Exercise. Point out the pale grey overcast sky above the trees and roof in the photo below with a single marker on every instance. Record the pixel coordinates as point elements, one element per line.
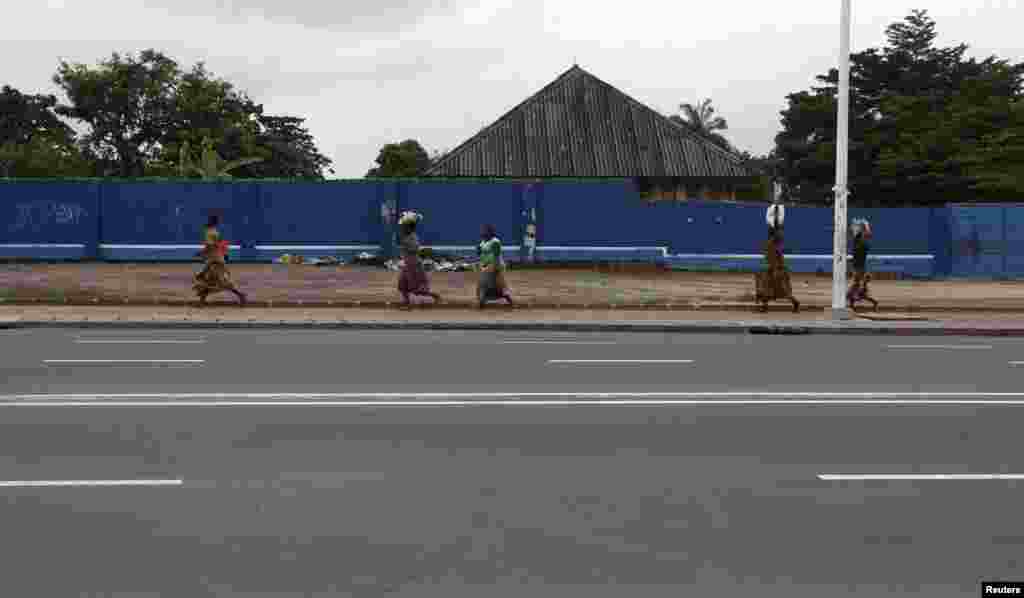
<point>370,72</point>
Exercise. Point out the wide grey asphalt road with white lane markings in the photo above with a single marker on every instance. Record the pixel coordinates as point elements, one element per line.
<point>349,493</point>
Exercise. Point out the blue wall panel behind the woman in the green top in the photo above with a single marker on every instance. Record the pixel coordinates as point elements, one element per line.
<point>454,213</point>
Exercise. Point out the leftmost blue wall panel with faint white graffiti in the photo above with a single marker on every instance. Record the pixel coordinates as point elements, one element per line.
<point>49,221</point>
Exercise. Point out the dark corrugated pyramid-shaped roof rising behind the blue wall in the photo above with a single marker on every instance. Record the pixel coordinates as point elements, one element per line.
<point>583,127</point>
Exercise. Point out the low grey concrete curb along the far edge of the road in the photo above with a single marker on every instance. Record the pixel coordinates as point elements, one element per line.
<point>719,327</point>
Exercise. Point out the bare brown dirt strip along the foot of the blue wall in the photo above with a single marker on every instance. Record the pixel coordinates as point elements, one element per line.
<point>306,286</point>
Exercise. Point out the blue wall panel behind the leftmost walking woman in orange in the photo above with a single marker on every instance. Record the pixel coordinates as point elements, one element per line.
<point>164,222</point>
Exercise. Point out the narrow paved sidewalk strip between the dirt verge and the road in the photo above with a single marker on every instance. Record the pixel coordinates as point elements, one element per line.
<point>507,320</point>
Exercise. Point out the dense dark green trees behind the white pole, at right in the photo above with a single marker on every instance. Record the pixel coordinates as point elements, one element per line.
<point>928,125</point>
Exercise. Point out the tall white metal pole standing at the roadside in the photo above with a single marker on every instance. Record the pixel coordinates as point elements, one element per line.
<point>839,309</point>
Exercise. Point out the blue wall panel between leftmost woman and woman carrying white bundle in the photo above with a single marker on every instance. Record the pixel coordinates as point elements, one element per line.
<point>320,220</point>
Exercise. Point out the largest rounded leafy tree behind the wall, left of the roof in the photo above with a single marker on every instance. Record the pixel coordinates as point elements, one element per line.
<point>143,111</point>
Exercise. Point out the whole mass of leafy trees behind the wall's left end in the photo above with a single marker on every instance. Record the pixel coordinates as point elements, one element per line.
<point>140,113</point>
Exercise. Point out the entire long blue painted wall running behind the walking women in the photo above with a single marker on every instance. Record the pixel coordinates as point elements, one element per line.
<point>124,221</point>
